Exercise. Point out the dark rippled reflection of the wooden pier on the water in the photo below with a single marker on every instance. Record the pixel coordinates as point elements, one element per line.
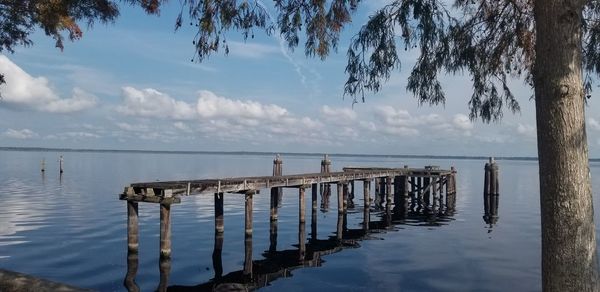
<point>307,253</point>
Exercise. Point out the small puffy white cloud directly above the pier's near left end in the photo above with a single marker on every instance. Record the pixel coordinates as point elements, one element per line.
<point>153,103</point>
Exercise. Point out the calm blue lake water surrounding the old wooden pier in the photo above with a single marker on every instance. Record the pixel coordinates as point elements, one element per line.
<point>72,229</point>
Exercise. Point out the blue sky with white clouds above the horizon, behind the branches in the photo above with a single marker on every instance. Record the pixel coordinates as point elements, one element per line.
<point>132,85</point>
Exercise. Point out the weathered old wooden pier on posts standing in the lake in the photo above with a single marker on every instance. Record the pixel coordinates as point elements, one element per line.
<point>428,191</point>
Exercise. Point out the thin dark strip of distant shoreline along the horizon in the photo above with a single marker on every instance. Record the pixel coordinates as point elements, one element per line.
<point>269,153</point>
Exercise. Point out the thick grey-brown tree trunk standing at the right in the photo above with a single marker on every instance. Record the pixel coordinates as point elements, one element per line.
<point>569,261</point>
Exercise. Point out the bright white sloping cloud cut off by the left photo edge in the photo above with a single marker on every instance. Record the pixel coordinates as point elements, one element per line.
<point>24,91</point>
